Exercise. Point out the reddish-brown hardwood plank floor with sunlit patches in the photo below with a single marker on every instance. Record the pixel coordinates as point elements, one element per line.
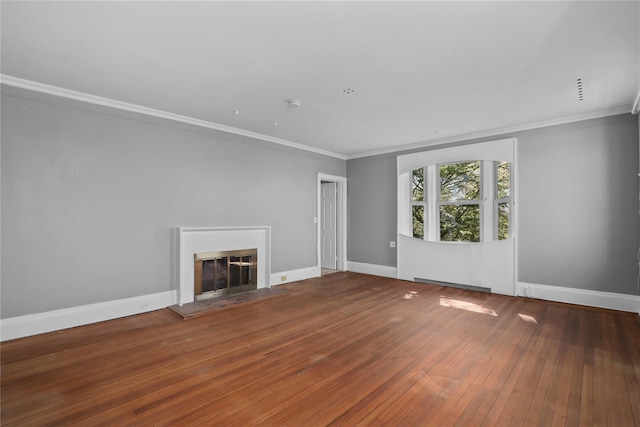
<point>344,349</point>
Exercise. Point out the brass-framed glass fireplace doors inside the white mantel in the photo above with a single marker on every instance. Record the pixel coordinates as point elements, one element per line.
<point>222,273</point>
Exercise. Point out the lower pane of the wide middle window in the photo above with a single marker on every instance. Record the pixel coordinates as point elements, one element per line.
<point>460,223</point>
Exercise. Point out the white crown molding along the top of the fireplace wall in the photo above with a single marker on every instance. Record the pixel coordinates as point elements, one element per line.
<point>125,106</point>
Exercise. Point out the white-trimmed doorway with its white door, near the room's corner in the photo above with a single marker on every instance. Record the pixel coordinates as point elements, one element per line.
<point>331,223</point>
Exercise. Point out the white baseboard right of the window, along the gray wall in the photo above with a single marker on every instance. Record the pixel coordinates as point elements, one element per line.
<point>622,302</point>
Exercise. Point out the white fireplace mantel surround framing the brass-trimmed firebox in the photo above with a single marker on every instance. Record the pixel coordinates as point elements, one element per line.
<point>191,240</point>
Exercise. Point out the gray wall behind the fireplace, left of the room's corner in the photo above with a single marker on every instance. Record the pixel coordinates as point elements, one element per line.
<point>90,195</point>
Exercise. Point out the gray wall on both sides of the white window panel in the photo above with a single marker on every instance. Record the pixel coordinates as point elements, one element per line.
<point>578,195</point>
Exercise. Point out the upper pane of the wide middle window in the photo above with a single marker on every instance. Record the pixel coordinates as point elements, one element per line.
<point>460,181</point>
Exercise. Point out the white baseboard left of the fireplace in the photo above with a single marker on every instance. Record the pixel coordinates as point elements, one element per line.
<point>39,323</point>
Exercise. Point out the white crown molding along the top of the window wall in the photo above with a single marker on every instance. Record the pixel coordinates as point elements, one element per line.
<point>494,132</point>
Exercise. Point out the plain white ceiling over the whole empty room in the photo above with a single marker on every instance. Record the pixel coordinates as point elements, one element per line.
<point>420,72</point>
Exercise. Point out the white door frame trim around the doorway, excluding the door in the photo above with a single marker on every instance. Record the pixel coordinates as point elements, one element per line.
<point>341,220</point>
